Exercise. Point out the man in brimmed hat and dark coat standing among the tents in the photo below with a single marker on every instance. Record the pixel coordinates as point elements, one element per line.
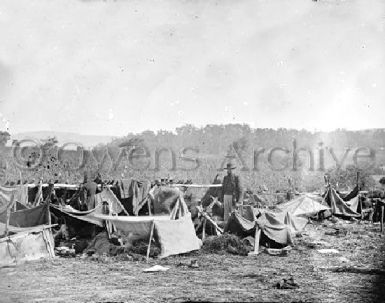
<point>232,192</point>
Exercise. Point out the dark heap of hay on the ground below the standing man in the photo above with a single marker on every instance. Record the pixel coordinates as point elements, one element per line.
<point>226,243</point>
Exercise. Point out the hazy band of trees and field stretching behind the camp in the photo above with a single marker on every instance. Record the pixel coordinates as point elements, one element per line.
<point>211,144</point>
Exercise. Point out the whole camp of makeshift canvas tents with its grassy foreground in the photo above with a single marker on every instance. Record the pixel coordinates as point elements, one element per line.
<point>142,232</point>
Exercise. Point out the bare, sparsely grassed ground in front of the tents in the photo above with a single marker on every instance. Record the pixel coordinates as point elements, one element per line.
<point>219,278</point>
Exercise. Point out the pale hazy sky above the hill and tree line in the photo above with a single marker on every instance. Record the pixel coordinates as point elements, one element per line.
<point>113,67</point>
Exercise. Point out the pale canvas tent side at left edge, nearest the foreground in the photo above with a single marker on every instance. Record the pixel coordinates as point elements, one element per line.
<point>26,246</point>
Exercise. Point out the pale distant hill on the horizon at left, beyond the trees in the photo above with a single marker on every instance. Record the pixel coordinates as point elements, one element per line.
<point>64,137</point>
